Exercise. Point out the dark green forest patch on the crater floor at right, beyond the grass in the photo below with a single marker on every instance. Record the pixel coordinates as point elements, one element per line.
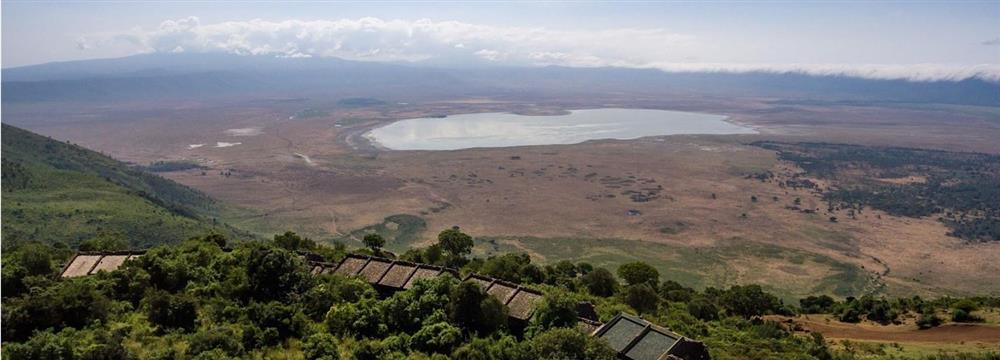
<point>961,189</point>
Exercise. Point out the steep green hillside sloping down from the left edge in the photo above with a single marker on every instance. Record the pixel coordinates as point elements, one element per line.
<point>58,192</point>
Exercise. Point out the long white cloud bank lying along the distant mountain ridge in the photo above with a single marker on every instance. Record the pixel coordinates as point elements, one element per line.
<point>374,39</point>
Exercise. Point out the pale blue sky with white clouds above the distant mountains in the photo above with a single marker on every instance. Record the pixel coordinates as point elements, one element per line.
<point>917,40</point>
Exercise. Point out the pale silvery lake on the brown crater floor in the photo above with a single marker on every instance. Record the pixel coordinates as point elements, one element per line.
<point>505,129</point>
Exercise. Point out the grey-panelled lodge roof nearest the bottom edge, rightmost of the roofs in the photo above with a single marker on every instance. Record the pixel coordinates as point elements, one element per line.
<point>637,339</point>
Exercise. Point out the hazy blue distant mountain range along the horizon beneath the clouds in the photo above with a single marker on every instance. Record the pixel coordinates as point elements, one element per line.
<point>185,76</point>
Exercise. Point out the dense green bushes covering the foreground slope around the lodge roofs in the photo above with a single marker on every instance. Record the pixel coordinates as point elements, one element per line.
<point>193,300</point>
